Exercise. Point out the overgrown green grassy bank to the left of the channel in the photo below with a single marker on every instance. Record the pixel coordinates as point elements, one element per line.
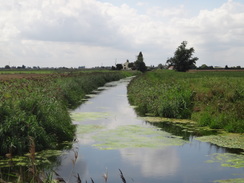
<point>37,108</point>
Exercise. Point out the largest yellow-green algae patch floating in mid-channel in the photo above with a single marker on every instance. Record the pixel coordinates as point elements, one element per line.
<point>134,136</point>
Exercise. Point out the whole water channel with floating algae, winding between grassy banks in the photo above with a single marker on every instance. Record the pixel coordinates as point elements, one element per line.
<point>110,136</point>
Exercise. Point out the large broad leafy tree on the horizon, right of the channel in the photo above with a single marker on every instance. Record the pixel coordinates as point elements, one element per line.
<point>183,60</point>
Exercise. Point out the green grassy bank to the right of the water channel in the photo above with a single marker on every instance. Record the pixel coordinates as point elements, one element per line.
<point>214,99</point>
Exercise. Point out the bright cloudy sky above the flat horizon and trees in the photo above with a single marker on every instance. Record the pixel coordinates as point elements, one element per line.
<point>72,33</point>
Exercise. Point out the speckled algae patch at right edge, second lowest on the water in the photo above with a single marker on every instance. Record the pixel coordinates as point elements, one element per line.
<point>228,159</point>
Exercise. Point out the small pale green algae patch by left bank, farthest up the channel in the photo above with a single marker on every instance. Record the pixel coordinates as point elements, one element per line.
<point>83,116</point>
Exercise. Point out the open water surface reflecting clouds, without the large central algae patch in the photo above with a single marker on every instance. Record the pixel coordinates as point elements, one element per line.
<point>183,163</point>
